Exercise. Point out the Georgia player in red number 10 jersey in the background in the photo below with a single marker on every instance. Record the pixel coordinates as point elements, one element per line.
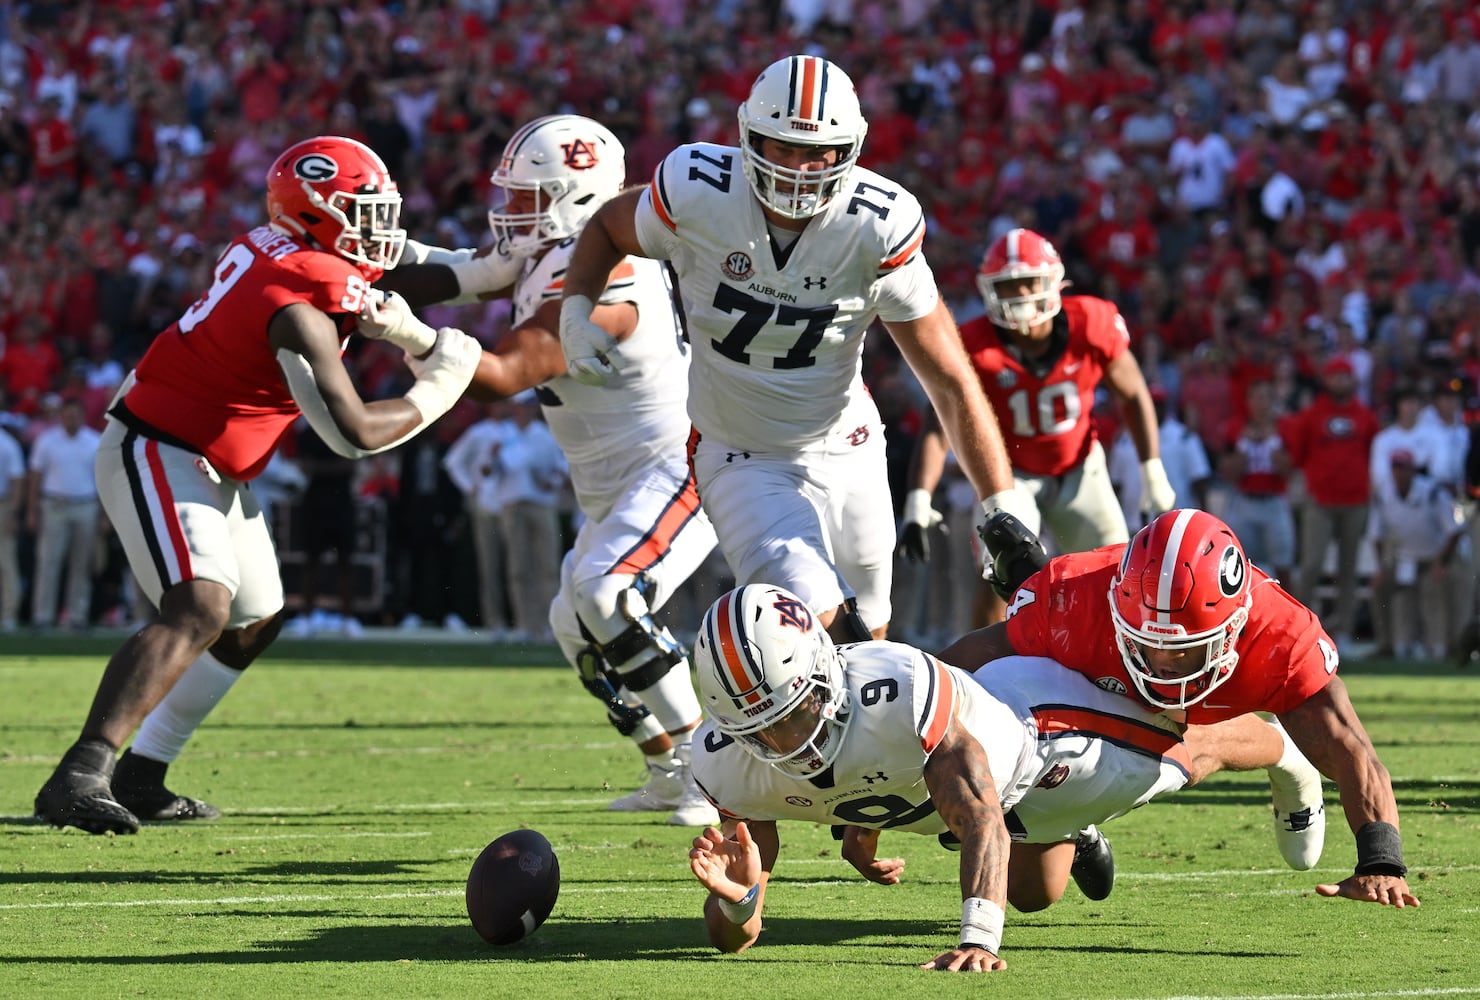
<point>1041,357</point>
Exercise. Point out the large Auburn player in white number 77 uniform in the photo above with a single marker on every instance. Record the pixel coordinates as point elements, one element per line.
<point>787,252</point>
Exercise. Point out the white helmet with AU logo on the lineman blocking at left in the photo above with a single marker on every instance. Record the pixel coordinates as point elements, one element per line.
<point>573,165</point>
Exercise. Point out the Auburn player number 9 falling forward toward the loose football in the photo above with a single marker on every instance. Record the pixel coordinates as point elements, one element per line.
<point>1009,764</point>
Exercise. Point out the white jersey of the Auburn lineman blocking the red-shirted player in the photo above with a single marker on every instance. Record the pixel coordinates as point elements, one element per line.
<point>612,434</point>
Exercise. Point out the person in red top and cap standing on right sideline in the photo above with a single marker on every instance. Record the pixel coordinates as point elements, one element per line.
<point>1331,443</point>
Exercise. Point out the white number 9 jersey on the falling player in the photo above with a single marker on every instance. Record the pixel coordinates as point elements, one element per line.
<point>902,705</point>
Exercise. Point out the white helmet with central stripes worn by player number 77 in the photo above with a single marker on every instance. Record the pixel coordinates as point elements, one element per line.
<point>806,101</point>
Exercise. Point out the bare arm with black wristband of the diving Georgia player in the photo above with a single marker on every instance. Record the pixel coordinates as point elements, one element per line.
<point>1328,732</point>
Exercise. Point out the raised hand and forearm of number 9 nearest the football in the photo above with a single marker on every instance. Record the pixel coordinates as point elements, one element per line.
<point>735,866</point>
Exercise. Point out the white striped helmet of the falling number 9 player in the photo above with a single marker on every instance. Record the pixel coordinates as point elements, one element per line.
<point>772,678</point>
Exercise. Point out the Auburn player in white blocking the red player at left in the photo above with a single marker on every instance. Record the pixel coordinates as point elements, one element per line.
<point>645,533</point>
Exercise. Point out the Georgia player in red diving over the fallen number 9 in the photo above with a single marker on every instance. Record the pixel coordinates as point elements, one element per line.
<point>1183,622</point>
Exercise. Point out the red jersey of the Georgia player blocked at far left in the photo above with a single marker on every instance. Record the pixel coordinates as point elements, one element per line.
<point>212,379</point>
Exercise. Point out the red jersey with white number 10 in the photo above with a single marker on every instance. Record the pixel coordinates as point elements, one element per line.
<point>1046,415</point>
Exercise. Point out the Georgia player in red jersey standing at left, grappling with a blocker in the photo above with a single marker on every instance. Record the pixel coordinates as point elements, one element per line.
<point>196,422</point>
